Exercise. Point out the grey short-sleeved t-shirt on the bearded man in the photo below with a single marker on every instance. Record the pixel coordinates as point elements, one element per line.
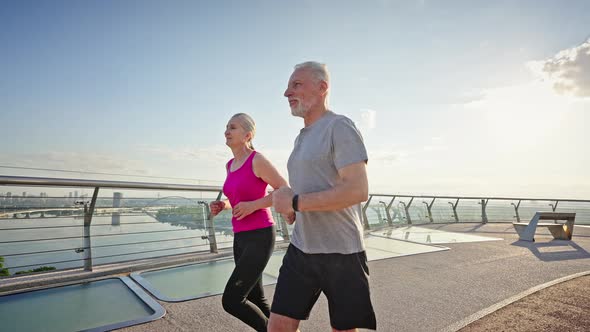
<point>321,149</point>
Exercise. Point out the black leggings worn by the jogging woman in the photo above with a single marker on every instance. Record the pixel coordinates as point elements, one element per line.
<point>243,296</point>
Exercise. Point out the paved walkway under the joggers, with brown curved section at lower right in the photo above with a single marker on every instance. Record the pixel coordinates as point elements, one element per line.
<point>447,290</point>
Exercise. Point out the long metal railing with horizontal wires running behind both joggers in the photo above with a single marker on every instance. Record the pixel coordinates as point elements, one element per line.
<point>44,226</point>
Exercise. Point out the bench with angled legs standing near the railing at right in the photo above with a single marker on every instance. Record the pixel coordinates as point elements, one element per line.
<point>560,231</point>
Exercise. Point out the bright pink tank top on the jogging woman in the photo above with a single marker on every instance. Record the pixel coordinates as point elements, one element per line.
<point>243,185</point>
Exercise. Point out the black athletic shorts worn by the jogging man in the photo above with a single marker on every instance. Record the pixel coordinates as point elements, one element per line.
<point>344,279</point>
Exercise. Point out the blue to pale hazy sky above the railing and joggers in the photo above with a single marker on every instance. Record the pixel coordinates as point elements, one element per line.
<point>485,98</point>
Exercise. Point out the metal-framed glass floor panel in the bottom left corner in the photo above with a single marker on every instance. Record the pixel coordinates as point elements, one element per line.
<point>103,305</point>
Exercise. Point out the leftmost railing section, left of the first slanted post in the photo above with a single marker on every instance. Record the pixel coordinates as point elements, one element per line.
<point>41,229</point>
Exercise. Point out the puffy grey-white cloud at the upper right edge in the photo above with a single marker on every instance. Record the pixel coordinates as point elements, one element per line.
<point>568,71</point>
